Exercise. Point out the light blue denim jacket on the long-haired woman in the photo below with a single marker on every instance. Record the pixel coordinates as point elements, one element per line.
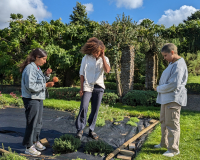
<point>33,83</point>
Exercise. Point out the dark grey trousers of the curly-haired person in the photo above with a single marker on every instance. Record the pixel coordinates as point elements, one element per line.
<point>96,97</point>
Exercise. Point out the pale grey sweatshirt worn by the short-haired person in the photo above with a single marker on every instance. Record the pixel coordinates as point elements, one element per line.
<point>172,84</point>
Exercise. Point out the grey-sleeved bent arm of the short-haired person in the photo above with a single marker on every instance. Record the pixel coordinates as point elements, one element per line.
<point>173,82</point>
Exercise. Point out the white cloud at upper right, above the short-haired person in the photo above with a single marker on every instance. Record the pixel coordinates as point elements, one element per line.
<point>175,17</point>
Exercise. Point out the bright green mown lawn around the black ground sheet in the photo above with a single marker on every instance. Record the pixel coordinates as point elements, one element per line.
<point>190,127</point>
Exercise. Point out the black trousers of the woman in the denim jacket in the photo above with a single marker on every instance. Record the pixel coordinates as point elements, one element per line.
<point>33,112</point>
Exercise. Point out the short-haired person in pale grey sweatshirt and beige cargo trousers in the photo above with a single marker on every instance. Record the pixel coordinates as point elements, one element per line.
<point>172,94</point>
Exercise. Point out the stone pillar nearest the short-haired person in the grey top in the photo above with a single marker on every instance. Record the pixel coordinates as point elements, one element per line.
<point>150,75</point>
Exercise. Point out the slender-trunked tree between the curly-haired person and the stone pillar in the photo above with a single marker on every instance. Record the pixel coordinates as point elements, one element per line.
<point>117,37</point>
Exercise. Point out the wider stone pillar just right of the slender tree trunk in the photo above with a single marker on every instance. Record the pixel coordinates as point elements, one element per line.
<point>127,69</point>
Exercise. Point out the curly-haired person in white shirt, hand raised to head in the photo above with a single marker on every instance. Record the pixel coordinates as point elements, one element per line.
<point>92,69</point>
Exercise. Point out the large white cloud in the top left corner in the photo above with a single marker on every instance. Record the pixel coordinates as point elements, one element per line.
<point>24,7</point>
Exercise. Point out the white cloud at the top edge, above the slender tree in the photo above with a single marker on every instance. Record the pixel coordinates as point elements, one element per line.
<point>129,4</point>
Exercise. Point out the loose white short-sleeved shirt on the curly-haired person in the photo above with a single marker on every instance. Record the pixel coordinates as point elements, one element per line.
<point>93,71</point>
